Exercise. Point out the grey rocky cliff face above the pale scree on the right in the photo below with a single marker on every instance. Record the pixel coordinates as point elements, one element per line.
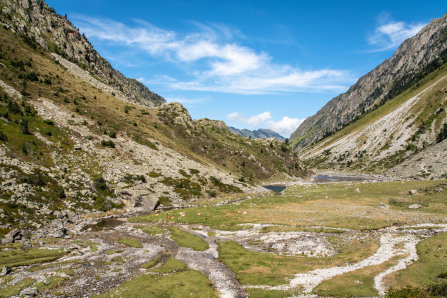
<point>414,59</point>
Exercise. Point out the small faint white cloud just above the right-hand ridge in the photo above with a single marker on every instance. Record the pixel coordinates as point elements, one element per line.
<point>391,34</point>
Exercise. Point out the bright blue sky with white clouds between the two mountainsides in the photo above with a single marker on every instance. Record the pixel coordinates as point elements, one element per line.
<point>253,64</point>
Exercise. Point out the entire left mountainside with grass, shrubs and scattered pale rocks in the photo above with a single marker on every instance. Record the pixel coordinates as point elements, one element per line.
<point>77,137</point>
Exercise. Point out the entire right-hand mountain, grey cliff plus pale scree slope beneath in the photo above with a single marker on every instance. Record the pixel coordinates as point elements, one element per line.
<point>405,137</point>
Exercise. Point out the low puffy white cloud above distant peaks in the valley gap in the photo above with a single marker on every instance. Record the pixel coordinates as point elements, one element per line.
<point>284,127</point>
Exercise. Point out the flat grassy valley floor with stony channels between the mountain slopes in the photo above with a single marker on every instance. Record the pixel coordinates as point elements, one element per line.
<point>329,239</point>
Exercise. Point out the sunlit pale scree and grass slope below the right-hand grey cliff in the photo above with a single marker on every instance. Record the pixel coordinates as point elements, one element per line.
<point>404,138</point>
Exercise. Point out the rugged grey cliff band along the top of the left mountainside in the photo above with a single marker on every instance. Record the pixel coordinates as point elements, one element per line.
<point>41,27</point>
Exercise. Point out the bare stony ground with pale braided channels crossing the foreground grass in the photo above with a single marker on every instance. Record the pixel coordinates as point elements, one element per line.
<point>97,263</point>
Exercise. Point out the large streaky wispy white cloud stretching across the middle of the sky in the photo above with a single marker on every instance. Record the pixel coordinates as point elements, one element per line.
<point>214,59</point>
